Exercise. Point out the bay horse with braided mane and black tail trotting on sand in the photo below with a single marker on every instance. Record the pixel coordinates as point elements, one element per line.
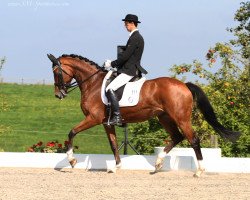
<point>168,99</point>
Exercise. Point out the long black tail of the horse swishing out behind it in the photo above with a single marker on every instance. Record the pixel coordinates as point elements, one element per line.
<point>208,112</point>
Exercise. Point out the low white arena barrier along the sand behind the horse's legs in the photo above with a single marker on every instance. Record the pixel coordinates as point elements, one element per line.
<point>177,159</point>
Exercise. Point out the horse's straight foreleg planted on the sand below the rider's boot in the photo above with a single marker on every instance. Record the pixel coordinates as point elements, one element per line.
<point>110,130</point>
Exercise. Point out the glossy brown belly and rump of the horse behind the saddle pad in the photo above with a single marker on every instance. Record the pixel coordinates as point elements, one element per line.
<point>161,95</point>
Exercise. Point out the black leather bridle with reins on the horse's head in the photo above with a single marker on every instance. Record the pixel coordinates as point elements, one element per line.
<point>65,86</point>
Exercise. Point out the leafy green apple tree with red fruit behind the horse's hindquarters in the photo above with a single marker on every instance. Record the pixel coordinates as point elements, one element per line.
<point>227,89</point>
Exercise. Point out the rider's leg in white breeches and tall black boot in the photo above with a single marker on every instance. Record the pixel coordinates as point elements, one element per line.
<point>114,85</point>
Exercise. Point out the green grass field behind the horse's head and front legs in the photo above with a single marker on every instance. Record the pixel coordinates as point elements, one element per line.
<point>33,114</point>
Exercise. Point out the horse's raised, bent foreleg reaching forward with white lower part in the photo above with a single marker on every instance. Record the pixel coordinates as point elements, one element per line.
<point>88,122</point>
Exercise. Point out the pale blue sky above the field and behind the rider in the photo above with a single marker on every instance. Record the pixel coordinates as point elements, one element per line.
<point>174,32</point>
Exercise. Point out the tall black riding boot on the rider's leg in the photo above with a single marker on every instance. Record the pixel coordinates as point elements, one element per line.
<point>116,118</point>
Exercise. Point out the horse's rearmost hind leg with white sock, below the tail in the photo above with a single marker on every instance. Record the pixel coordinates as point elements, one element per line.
<point>195,144</point>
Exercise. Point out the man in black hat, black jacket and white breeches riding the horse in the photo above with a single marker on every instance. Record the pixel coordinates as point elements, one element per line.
<point>128,65</point>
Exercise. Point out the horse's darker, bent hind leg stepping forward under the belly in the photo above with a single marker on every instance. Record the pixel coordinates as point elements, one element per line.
<point>176,137</point>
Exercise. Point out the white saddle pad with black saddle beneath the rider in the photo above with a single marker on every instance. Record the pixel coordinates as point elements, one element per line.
<point>127,95</point>
